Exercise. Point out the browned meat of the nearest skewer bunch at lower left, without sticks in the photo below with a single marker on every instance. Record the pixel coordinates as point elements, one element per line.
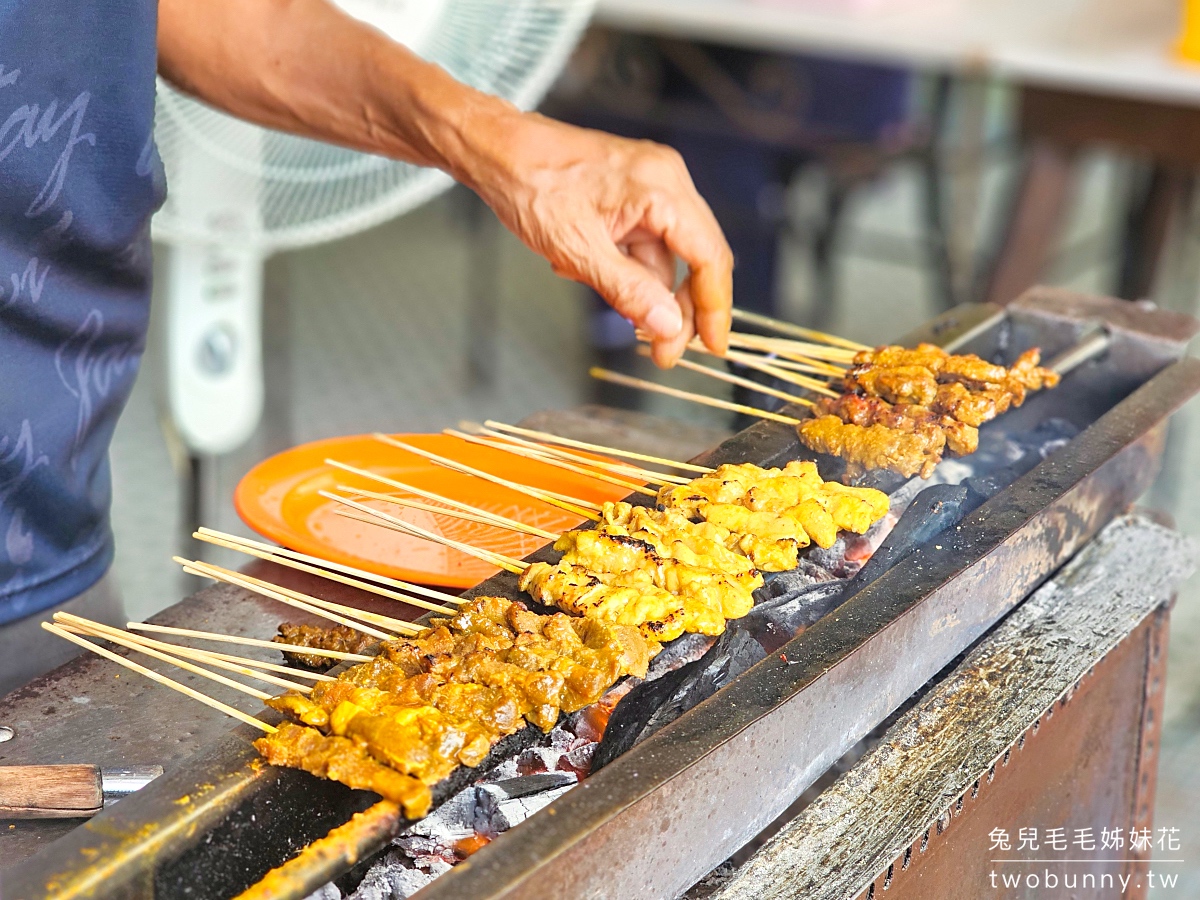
<point>405,721</point>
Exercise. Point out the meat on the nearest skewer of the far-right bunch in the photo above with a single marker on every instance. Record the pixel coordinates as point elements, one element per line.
<point>877,447</point>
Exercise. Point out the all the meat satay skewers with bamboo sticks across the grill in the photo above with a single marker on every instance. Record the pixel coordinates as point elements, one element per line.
<point>421,701</point>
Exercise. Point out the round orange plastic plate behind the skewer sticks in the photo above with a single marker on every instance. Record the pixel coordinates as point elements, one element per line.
<point>279,499</point>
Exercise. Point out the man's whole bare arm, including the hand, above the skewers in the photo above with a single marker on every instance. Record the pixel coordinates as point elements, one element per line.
<point>604,211</point>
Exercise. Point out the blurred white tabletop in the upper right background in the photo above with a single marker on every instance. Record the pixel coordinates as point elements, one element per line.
<point>1113,47</point>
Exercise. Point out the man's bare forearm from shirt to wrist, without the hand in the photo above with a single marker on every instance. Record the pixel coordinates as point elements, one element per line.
<point>305,68</point>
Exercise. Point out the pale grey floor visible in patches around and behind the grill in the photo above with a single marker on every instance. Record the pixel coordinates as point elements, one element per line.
<point>375,331</point>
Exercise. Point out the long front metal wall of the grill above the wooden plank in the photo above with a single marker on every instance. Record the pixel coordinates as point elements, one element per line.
<point>634,831</point>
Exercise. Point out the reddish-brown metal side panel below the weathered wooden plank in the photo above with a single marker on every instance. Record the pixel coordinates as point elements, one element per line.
<point>1076,769</point>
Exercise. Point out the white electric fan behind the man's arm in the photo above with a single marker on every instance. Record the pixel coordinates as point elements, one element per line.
<point>239,194</point>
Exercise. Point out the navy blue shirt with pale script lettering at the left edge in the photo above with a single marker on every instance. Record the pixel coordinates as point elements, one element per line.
<point>80,179</point>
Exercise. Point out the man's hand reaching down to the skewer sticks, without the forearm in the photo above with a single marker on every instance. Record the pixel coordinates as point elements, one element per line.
<point>614,214</point>
